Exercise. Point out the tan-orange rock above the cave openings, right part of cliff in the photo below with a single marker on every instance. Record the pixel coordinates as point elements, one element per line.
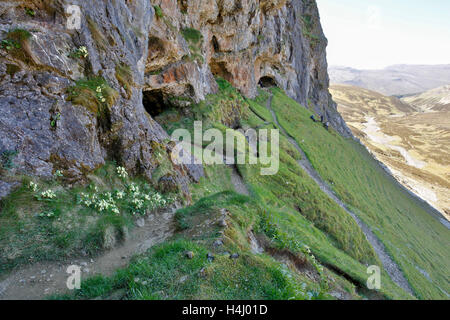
<point>242,42</point>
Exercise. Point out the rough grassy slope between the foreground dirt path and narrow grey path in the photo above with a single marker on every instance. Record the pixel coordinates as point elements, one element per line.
<point>272,210</point>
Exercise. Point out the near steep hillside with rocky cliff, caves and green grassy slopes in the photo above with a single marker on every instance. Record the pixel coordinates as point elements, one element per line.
<point>91,177</point>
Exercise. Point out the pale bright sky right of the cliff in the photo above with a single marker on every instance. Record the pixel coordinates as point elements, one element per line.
<point>373,34</point>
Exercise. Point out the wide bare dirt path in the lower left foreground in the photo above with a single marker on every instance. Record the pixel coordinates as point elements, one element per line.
<point>37,281</point>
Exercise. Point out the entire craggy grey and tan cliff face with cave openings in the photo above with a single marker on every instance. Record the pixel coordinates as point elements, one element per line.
<point>151,55</point>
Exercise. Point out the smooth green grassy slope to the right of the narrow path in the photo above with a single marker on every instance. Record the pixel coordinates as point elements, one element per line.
<point>416,241</point>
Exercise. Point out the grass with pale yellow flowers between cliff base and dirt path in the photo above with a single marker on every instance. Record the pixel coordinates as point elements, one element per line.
<point>34,228</point>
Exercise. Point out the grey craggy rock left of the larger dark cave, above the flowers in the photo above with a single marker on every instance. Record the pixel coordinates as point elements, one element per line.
<point>45,130</point>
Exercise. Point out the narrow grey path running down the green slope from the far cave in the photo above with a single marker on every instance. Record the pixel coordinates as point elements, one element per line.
<point>389,265</point>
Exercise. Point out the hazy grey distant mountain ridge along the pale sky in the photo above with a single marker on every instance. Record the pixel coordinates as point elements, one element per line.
<point>394,80</point>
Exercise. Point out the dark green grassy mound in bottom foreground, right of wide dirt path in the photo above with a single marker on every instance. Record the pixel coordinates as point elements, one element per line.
<point>165,273</point>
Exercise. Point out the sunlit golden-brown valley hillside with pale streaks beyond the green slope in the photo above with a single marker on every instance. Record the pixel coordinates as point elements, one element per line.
<point>412,140</point>
